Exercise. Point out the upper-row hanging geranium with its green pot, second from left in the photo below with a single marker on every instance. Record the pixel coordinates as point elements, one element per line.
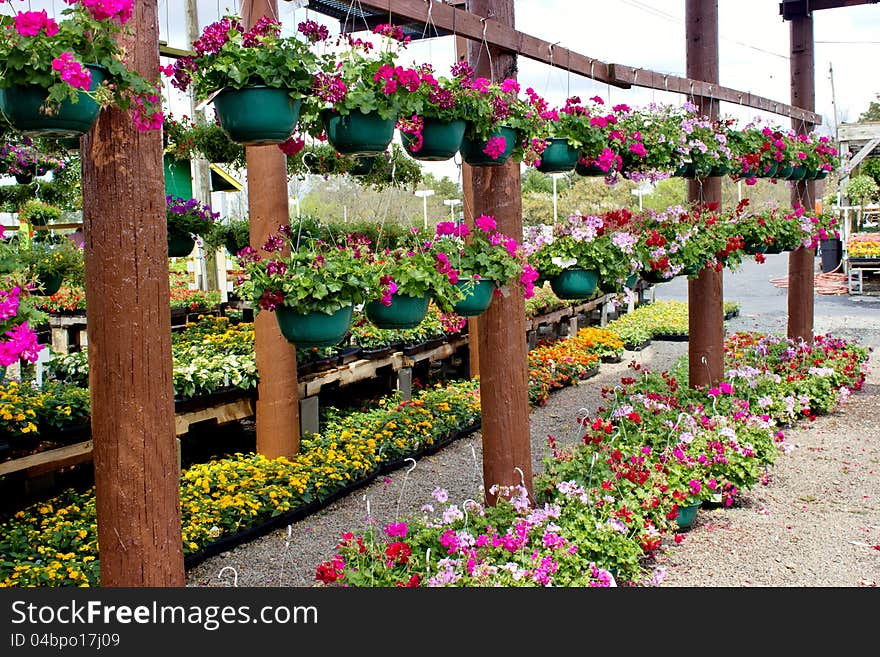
<point>255,77</point>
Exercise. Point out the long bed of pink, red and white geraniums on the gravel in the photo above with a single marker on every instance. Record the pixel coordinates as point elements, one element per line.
<point>605,503</point>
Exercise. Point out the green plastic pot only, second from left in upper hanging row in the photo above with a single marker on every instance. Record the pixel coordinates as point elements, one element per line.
<point>258,114</point>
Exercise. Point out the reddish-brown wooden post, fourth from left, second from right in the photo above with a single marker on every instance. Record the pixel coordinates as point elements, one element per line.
<point>706,292</point>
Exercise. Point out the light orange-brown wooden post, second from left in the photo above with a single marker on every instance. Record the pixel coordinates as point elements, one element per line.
<point>277,400</point>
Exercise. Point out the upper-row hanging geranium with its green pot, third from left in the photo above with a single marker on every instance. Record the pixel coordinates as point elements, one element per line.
<point>357,98</point>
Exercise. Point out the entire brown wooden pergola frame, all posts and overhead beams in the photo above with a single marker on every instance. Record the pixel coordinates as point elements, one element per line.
<point>136,471</point>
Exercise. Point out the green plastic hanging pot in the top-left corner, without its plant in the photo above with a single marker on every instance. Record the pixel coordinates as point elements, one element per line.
<point>21,105</point>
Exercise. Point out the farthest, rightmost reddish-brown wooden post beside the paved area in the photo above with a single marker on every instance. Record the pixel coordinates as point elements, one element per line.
<point>801,262</point>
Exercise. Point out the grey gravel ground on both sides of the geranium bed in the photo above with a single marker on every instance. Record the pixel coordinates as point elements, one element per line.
<point>814,522</point>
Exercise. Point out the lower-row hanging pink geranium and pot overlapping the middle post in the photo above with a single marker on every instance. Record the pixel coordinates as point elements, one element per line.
<point>486,261</point>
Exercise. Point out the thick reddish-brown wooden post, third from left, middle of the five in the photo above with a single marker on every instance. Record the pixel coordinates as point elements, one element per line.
<point>507,458</point>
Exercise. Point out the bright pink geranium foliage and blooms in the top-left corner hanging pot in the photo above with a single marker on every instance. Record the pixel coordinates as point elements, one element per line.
<point>77,55</point>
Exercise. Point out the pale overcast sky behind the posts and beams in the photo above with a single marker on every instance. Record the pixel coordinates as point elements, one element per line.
<point>650,34</point>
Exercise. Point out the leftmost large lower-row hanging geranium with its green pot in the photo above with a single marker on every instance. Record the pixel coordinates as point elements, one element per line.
<point>312,290</point>
